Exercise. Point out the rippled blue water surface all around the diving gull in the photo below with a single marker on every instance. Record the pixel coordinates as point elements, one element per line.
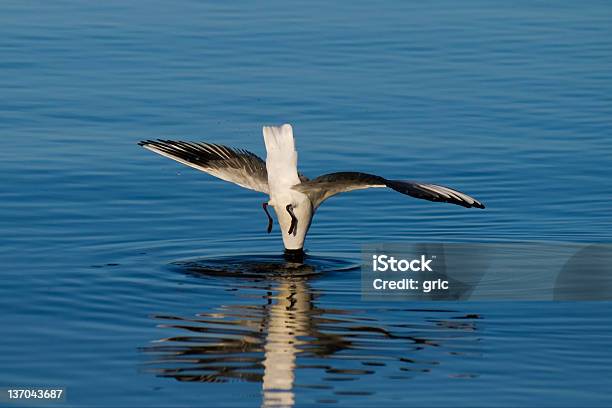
<point>509,102</point>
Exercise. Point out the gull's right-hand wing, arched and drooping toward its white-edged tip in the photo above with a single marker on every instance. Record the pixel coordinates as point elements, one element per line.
<point>327,185</point>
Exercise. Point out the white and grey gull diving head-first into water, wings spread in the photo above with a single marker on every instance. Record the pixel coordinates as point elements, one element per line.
<point>293,196</point>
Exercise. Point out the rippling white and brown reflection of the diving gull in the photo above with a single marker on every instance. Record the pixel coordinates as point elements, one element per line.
<point>263,342</point>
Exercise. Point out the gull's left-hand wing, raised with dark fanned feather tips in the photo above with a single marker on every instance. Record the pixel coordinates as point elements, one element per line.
<point>234,165</point>
